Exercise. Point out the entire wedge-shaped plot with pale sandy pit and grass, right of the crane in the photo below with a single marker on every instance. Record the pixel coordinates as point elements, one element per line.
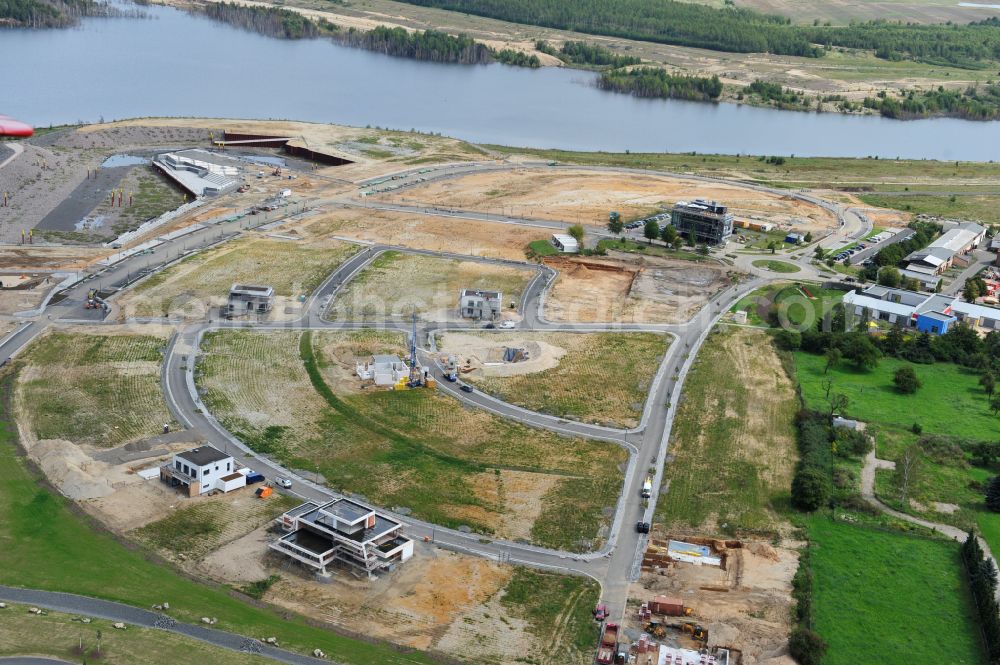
<point>597,378</point>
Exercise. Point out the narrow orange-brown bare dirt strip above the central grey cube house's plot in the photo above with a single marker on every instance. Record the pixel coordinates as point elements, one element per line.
<point>442,234</point>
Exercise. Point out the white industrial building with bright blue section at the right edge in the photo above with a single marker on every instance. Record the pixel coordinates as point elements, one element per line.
<point>930,313</point>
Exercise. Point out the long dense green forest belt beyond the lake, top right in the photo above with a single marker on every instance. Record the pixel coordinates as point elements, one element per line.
<point>742,30</point>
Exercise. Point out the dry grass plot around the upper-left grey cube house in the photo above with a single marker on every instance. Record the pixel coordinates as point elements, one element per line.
<point>201,281</point>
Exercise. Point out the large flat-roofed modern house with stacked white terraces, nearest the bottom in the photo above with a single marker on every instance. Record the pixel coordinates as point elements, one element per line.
<point>342,532</point>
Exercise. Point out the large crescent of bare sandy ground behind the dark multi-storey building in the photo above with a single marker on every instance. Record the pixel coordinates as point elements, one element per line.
<point>587,197</point>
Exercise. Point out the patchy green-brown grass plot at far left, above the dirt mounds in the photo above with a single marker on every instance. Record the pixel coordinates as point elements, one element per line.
<point>98,389</point>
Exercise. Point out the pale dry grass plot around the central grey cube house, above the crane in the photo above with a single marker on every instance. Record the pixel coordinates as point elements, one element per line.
<point>431,287</point>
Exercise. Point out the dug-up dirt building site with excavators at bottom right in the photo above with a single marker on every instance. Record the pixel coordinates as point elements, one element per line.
<point>747,606</point>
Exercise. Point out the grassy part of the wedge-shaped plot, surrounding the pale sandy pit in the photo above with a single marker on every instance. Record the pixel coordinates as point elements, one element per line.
<point>603,378</point>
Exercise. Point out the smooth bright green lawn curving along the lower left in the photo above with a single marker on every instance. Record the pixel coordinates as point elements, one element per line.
<point>45,545</point>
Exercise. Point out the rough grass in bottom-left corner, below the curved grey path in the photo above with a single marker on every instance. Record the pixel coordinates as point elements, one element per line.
<point>59,636</point>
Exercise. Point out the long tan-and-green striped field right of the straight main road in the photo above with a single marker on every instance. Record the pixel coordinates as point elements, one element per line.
<point>733,451</point>
